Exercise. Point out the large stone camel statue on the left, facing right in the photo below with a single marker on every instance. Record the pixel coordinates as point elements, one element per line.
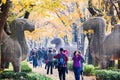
<point>14,48</point>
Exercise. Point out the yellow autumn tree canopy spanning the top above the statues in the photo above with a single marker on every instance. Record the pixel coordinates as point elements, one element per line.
<point>54,17</point>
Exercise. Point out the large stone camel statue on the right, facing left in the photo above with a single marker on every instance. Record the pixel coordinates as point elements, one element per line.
<point>103,47</point>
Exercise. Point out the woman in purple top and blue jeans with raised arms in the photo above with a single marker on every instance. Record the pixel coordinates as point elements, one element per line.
<point>76,64</point>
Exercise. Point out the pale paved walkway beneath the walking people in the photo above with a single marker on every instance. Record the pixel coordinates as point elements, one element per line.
<point>54,76</point>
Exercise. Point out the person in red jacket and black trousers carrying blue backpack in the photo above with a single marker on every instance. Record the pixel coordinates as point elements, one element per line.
<point>62,60</point>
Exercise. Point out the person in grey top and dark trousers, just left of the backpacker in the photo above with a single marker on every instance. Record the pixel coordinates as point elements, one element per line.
<point>50,62</point>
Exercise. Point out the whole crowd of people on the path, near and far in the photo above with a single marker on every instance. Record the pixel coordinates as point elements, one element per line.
<point>58,60</point>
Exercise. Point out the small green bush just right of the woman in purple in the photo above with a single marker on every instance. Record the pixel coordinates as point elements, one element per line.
<point>88,70</point>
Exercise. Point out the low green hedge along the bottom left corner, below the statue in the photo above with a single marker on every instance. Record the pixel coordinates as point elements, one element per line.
<point>10,75</point>
